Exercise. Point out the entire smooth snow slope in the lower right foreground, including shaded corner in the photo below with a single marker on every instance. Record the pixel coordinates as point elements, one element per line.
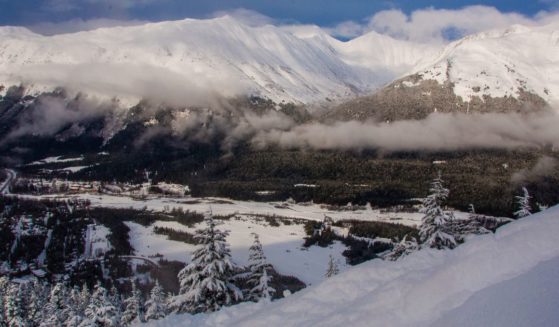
<point>505,279</point>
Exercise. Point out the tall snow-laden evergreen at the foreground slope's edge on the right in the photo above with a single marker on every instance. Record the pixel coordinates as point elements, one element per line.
<point>434,231</point>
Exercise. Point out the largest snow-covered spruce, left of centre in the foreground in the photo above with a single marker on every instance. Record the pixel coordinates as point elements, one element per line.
<point>206,282</point>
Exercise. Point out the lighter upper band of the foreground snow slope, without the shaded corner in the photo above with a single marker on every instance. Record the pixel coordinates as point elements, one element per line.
<point>415,291</point>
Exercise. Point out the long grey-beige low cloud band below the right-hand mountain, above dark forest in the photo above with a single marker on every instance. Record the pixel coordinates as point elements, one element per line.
<point>436,132</point>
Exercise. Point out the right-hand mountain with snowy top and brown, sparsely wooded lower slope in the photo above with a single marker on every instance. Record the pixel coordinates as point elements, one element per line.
<point>511,70</point>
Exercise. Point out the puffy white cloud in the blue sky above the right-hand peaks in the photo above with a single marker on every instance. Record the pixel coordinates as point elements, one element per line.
<point>431,25</point>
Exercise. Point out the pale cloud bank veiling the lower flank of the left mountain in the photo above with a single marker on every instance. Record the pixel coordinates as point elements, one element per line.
<point>130,81</point>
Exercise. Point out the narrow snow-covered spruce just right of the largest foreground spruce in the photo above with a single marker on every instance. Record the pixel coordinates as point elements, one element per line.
<point>259,274</point>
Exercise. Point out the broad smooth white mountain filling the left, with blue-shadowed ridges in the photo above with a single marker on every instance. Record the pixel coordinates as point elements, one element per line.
<point>221,55</point>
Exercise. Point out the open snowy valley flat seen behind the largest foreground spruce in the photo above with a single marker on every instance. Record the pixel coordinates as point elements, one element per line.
<point>283,246</point>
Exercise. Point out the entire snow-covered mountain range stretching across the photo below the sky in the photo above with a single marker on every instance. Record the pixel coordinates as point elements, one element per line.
<point>177,61</point>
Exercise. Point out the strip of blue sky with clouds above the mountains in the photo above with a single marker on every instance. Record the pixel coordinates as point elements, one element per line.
<point>417,20</point>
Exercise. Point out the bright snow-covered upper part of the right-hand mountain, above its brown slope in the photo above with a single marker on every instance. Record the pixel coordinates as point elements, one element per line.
<point>501,63</point>
